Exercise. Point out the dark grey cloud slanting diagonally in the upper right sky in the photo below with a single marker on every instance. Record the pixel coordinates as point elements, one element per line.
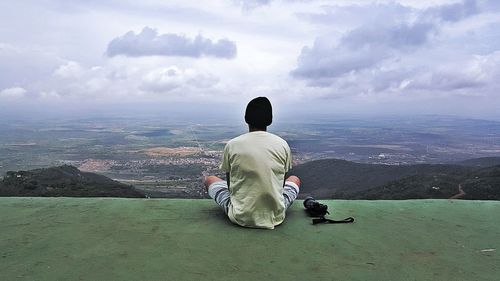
<point>359,49</point>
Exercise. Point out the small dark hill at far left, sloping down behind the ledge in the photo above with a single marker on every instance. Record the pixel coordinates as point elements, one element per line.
<point>65,181</point>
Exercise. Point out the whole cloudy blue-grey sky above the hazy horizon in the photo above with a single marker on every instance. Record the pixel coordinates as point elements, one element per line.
<point>354,57</point>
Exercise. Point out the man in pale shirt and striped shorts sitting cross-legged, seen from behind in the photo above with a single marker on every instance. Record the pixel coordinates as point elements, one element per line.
<point>256,193</point>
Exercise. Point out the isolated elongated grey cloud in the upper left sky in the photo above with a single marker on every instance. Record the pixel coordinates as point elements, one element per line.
<point>149,43</point>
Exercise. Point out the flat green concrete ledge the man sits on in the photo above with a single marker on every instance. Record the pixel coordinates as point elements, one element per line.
<point>173,239</point>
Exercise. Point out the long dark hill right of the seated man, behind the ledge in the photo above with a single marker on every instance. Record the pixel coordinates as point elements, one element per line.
<point>333,178</point>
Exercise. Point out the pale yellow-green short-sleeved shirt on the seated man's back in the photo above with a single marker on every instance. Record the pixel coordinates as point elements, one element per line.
<point>257,162</point>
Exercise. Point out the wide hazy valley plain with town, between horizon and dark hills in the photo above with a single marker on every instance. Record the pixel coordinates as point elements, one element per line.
<point>167,157</point>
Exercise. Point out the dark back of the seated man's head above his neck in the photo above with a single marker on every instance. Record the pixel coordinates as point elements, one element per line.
<point>259,113</point>
